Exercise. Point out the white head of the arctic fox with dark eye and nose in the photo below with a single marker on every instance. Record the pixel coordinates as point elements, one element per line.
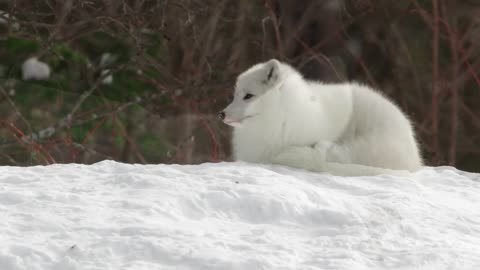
<point>251,89</point>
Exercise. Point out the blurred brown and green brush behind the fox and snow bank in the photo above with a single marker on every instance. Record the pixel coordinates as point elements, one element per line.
<point>141,81</point>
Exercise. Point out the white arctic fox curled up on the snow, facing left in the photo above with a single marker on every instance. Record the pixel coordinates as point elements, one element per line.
<point>344,129</point>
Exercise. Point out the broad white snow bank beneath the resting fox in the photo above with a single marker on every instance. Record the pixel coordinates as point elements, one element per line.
<point>235,216</point>
